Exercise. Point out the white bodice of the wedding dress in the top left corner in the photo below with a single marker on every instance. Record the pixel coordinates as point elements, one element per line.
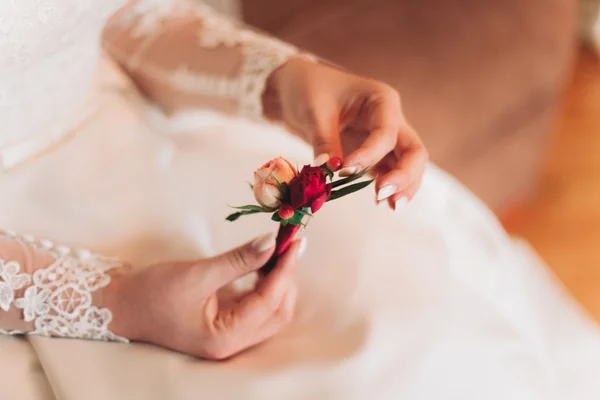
<point>49,52</point>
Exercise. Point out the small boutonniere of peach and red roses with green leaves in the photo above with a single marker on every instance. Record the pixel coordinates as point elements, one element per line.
<point>292,197</point>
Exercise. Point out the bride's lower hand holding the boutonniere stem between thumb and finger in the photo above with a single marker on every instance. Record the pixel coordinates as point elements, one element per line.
<point>175,305</point>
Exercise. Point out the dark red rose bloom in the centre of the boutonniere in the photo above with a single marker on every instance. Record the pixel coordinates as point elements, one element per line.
<point>309,189</point>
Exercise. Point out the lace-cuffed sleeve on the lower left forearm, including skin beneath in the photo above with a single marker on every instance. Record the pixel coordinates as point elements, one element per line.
<point>52,290</point>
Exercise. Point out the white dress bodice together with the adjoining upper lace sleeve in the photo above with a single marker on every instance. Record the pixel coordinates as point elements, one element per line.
<point>177,51</point>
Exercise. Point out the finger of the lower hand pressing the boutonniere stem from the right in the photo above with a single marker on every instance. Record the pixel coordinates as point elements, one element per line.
<point>256,308</point>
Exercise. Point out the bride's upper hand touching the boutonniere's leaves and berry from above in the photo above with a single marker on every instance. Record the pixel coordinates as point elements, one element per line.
<point>357,119</point>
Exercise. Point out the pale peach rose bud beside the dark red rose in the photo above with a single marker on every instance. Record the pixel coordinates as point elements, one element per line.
<point>267,180</point>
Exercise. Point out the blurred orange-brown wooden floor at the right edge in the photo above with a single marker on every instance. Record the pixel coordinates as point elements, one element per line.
<point>563,221</point>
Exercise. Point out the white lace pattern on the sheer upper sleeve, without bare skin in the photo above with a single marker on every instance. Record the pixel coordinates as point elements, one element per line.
<point>261,55</point>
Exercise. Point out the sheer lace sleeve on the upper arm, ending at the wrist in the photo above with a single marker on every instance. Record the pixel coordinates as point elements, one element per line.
<point>183,55</point>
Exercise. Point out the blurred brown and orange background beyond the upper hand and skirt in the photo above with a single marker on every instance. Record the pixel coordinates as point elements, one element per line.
<point>505,93</point>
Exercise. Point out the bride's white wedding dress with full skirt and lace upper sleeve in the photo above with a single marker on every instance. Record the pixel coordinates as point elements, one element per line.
<point>434,302</point>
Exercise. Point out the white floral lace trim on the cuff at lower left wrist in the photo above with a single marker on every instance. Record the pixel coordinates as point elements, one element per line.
<point>58,299</point>
